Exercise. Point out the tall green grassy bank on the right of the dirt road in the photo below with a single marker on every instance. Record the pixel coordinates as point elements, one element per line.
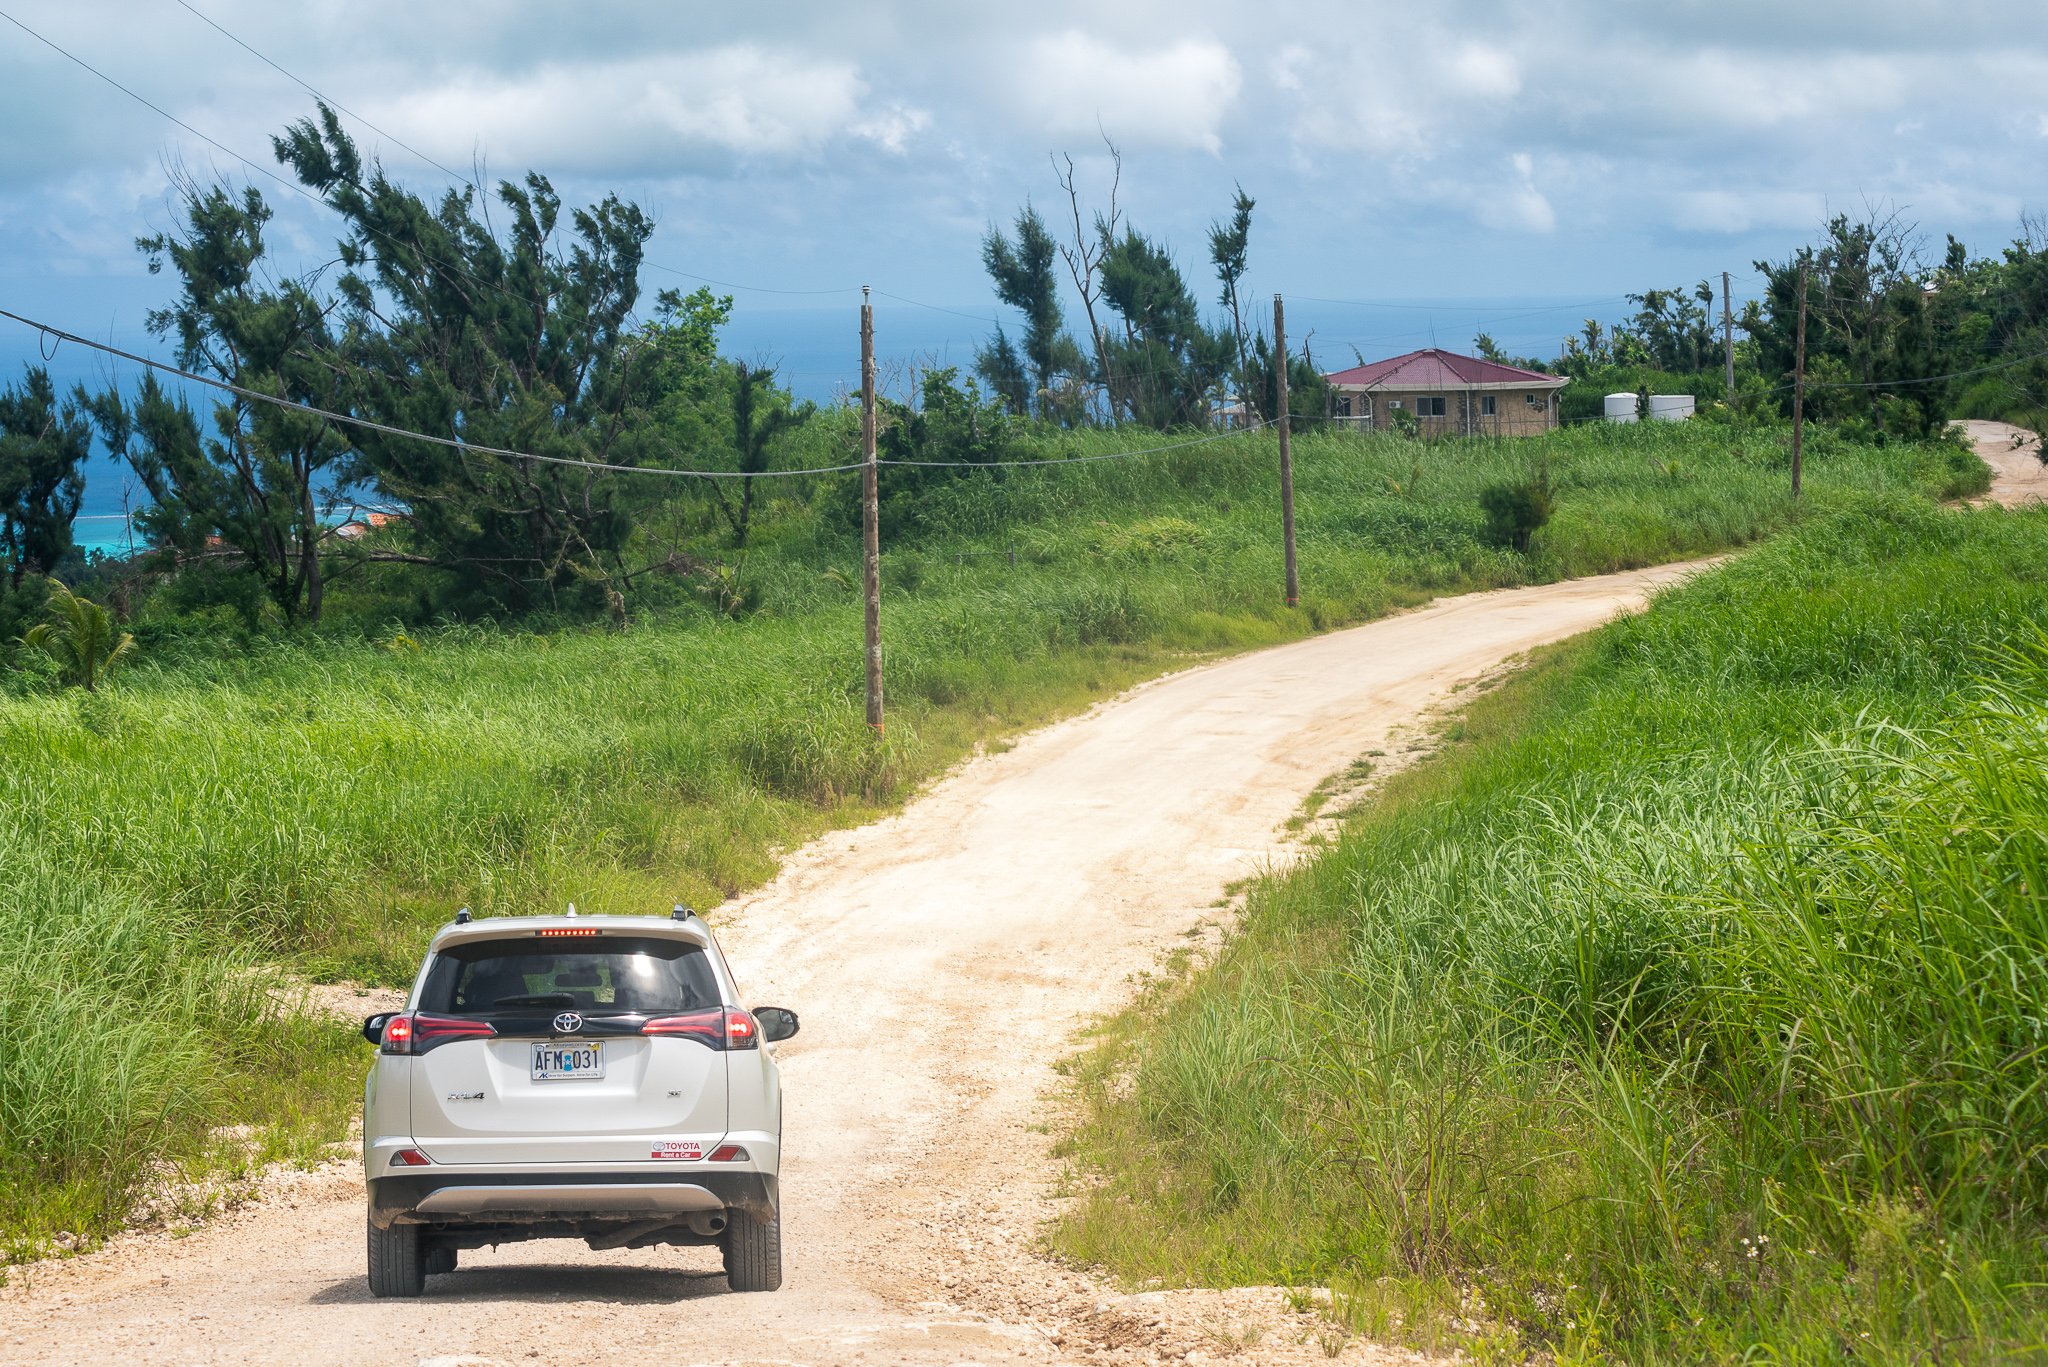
<point>1689,1013</point>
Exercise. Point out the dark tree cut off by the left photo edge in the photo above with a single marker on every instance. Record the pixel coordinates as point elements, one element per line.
<point>42,452</point>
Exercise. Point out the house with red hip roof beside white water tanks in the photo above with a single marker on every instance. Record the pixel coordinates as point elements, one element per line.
<point>1449,395</point>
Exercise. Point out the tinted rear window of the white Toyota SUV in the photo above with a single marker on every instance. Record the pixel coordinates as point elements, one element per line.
<point>615,977</point>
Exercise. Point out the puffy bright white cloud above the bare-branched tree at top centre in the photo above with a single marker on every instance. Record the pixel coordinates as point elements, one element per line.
<point>1170,97</point>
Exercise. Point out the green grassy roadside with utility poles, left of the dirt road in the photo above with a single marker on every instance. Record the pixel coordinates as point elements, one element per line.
<point>321,802</point>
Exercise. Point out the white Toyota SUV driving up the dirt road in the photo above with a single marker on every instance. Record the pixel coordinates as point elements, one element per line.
<point>574,1077</point>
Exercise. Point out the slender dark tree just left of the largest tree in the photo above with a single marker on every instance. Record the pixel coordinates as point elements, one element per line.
<point>253,485</point>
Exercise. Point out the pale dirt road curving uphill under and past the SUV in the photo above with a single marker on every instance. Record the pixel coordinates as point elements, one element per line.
<point>943,962</point>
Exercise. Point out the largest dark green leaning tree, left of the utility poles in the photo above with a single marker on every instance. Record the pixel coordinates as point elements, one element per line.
<point>515,341</point>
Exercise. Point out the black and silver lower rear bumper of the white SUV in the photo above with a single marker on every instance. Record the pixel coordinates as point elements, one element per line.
<point>554,1196</point>
